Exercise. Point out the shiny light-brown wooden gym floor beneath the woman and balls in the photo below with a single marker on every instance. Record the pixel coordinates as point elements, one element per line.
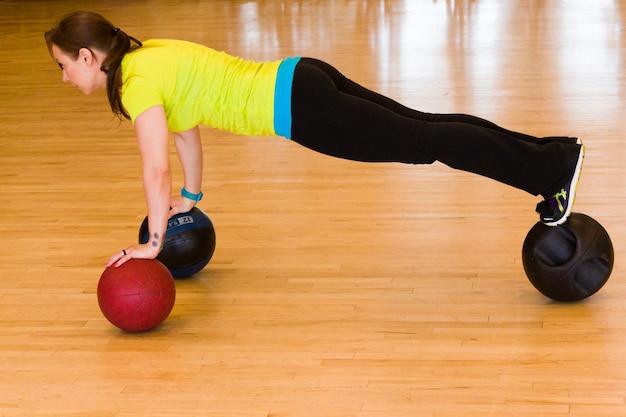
<point>337,289</point>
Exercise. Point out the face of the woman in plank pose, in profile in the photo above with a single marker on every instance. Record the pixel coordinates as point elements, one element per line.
<point>84,72</point>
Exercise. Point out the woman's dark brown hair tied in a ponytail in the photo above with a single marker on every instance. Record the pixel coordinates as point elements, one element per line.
<point>92,31</point>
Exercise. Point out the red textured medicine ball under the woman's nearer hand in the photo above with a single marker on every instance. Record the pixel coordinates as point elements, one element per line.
<point>138,295</point>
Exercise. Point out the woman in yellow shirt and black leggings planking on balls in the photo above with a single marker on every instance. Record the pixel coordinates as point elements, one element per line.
<point>168,86</point>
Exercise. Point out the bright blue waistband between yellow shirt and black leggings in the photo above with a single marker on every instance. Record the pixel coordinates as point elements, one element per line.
<point>282,96</point>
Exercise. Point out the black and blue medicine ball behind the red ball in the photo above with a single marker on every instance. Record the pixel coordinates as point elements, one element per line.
<point>189,242</point>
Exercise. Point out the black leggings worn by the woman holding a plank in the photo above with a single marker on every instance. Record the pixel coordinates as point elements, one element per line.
<point>336,116</point>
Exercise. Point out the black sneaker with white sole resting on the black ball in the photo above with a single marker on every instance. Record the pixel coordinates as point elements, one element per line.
<point>556,209</point>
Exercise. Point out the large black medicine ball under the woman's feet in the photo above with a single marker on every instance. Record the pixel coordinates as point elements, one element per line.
<point>568,262</point>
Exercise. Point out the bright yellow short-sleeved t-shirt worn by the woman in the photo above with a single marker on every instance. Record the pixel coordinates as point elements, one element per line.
<point>198,85</point>
